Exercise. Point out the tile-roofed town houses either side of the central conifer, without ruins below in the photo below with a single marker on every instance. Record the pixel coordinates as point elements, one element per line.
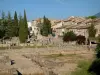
<point>79,25</point>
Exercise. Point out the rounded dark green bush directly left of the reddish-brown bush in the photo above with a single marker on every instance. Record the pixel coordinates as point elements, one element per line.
<point>69,36</point>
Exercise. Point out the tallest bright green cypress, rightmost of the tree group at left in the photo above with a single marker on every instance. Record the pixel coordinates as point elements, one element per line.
<point>23,29</point>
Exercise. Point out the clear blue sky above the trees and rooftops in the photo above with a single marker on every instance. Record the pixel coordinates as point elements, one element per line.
<point>53,9</point>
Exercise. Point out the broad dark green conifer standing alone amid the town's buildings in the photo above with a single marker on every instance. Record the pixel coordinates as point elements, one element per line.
<point>46,27</point>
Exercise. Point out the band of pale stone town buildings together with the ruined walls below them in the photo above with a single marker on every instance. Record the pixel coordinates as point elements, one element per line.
<point>78,25</point>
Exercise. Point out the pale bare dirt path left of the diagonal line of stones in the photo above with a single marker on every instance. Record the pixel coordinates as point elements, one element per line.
<point>24,65</point>
